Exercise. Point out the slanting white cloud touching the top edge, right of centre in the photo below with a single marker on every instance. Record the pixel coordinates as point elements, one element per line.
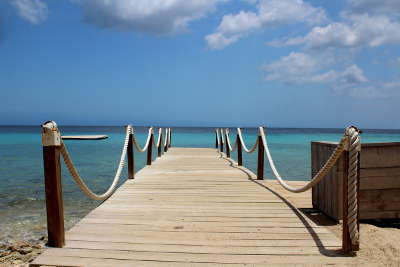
<point>269,13</point>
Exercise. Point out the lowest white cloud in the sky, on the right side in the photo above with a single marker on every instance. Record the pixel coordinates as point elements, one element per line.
<point>303,68</point>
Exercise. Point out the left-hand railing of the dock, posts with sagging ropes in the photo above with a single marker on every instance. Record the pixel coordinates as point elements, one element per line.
<point>54,148</point>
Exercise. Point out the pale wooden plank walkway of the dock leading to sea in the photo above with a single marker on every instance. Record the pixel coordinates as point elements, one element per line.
<point>194,207</point>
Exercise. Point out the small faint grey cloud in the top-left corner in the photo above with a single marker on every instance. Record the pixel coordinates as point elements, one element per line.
<point>34,11</point>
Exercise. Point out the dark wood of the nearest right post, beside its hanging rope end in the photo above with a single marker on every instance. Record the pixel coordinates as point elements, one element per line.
<point>346,240</point>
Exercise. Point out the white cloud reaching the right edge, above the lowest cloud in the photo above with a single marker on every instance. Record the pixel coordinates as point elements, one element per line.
<point>359,31</point>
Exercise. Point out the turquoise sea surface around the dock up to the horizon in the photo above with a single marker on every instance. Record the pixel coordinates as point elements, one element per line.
<point>22,206</point>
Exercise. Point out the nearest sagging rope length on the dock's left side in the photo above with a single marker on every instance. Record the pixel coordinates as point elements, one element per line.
<point>75,175</point>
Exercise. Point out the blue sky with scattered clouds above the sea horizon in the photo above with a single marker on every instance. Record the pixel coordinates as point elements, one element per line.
<point>279,63</point>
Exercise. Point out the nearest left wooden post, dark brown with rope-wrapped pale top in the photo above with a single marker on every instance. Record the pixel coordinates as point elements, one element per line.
<point>51,139</point>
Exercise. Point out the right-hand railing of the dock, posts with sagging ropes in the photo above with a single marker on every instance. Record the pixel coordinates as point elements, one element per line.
<point>349,146</point>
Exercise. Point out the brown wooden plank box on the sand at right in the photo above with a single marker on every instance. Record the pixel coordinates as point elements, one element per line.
<point>379,181</point>
